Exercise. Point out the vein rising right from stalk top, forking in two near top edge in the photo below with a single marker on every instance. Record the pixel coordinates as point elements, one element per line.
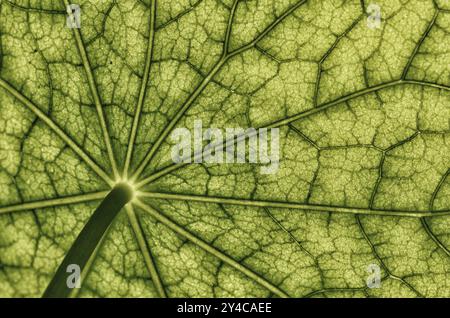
<point>187,104</point>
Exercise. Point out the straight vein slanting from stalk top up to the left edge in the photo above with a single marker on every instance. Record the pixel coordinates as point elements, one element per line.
<point>56,129</point>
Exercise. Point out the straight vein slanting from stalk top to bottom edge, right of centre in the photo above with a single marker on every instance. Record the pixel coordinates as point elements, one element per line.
<point>212,250</point>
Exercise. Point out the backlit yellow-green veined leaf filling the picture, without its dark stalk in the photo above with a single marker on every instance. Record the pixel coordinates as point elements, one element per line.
<point>364,119</point>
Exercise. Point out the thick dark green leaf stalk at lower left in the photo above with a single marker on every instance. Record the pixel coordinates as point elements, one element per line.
<point>88,239</point>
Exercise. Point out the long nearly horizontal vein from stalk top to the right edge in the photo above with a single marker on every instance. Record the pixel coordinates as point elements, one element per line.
<point>287,205</point>
